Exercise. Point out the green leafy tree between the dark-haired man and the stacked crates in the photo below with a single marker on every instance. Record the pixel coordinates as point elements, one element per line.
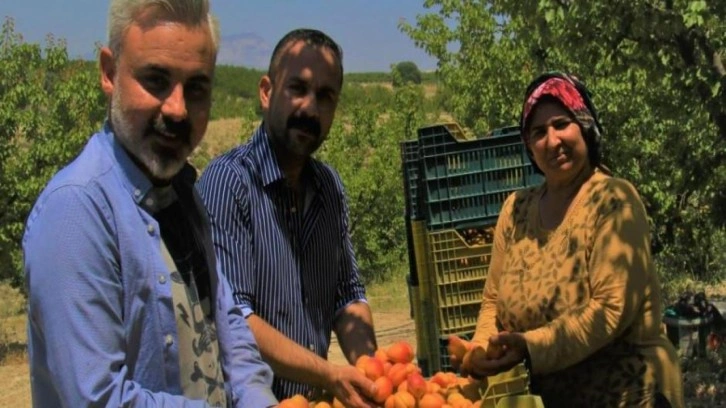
<point>363,147</point>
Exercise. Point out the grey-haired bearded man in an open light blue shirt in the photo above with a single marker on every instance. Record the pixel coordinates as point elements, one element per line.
<point>126,306</point>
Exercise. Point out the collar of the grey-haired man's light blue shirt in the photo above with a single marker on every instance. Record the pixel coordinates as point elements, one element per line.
<point>136,182</point>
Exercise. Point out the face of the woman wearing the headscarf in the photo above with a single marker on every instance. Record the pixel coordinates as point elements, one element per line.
<point>556,142</point>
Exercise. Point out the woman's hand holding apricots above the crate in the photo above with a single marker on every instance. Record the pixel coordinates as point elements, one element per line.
<point>505,351</point>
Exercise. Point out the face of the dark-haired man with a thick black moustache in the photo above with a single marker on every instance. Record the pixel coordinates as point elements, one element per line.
<point>299,102</point>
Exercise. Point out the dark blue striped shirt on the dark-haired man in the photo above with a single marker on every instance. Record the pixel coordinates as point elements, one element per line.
<point>294,267</point>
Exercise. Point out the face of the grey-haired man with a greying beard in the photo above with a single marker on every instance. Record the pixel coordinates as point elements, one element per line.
<point>160,91</point>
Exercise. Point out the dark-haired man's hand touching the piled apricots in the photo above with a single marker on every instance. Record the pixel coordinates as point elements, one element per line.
<point>351,387</point>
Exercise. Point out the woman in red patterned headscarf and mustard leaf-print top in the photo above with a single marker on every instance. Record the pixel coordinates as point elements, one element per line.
<point>572,291</point>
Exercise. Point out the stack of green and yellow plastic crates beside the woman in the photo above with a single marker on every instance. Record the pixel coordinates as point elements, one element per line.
<point>455,186</point>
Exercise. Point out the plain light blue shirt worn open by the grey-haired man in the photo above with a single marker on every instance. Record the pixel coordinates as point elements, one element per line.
<point>101,326</point>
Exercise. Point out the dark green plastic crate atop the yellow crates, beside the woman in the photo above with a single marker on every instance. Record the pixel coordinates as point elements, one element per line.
<point>465,180</point>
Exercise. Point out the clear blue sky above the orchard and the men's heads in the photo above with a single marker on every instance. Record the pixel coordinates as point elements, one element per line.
<point>366,30</point>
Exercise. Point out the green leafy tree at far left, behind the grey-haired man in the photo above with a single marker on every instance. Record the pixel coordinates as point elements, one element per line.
<point>49,105</point>
